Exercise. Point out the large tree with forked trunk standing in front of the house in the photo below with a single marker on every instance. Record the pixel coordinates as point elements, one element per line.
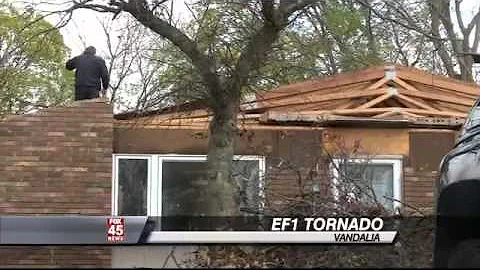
<point>223,83</point>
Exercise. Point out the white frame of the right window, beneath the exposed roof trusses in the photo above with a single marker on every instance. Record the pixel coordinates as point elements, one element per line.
<point>395,161</point>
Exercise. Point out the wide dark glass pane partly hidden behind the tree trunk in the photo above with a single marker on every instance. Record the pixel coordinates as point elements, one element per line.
<point>185,196</point>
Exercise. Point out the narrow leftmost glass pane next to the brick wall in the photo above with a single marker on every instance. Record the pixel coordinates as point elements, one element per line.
<point>132,187</point>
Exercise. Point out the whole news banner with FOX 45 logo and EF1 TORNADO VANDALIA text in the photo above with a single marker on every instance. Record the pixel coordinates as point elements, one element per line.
<point>129,230</point>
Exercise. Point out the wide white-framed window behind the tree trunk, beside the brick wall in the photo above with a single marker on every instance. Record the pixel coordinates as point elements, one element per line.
<point>170,185</point>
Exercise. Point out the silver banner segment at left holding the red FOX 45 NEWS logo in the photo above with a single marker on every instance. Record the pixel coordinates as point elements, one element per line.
<point>71,230</point>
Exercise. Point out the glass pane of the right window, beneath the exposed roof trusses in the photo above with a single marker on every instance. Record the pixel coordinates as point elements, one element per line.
<point>368,177</point>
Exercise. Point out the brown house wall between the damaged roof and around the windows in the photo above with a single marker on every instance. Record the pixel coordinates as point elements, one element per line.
<point>420,150</point>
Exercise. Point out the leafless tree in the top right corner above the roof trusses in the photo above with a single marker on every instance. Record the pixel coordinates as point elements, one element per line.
<point>436,20</point>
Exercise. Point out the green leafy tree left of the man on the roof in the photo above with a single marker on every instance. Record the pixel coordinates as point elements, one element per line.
<point>32,55</point>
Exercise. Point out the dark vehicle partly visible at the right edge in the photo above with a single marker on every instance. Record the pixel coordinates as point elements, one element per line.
<point>457,233</point>
